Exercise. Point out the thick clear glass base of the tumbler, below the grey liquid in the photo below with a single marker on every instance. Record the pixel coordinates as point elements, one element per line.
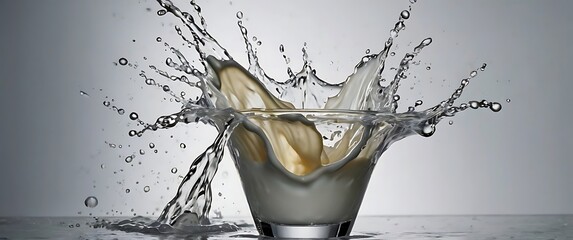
<point>302,231</point>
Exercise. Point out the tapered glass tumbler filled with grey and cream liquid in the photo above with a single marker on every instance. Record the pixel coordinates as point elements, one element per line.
<point>288,202</point>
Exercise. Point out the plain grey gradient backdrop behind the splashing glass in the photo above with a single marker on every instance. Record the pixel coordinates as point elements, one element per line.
<point>53,140</point>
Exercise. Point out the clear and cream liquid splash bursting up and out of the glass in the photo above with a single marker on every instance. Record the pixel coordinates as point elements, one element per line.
<point>228,91</point>
